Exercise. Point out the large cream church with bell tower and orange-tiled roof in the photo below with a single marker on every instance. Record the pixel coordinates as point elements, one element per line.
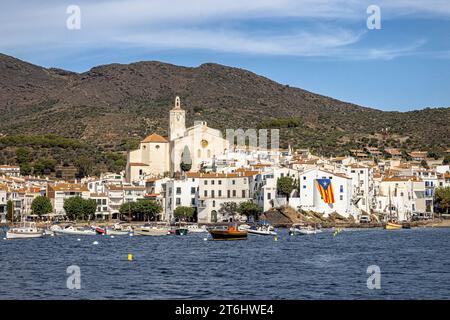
<point>160,156</point>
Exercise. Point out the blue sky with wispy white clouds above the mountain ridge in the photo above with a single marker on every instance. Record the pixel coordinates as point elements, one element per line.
<point>319,45</point>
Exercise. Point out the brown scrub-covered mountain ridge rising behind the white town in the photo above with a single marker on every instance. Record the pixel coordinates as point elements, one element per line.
<point>111,107</point>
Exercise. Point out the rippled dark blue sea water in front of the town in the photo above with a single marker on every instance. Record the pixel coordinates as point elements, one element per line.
<point>415,264</point>
